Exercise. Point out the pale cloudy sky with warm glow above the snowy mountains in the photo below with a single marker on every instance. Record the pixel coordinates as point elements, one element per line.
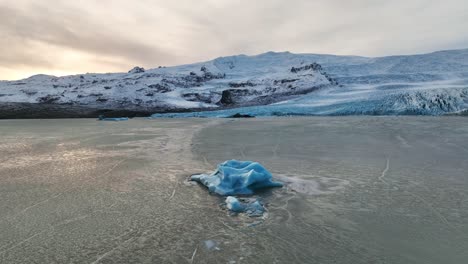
<point>65,37</point>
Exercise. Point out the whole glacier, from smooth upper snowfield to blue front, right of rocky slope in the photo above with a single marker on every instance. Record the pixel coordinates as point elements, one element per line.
<point>426,84</point>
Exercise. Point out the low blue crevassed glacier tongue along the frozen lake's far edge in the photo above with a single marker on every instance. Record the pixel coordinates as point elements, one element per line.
<point>435,98</point>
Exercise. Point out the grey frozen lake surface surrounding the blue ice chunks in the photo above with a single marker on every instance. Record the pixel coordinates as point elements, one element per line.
<point>359,190</point>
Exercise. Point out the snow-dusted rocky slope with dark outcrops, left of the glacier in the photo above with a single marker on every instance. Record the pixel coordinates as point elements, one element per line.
<point>218,83</point>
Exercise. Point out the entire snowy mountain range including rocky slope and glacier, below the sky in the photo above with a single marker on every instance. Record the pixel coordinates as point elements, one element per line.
<point>266,84</point>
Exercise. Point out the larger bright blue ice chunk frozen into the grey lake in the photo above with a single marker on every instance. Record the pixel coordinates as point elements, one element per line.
<point>234,177</point>
